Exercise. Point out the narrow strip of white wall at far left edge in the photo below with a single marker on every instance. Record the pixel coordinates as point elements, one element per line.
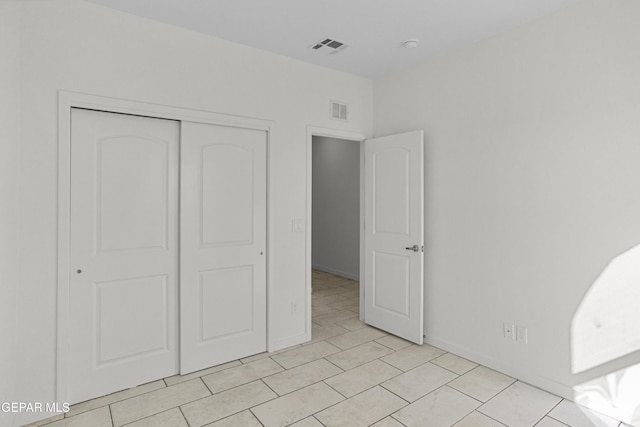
<point>9,192</point>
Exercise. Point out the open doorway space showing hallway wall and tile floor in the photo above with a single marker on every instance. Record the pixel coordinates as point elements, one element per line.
<point>335,233</point>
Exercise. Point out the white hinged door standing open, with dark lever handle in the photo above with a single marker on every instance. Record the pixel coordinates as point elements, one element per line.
<point>394,258</point>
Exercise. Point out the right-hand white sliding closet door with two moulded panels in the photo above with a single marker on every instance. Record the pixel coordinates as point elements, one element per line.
<point>223,244</point>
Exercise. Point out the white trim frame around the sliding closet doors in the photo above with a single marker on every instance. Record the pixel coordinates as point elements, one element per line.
<point>68,100</point>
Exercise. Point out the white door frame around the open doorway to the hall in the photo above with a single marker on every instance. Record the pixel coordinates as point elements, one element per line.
<point>349,136</point>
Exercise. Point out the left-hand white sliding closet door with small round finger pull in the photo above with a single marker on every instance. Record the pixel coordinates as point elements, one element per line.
<point>123,252</point>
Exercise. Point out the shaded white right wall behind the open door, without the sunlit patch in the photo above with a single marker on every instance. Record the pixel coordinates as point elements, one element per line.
<point>532,176</point>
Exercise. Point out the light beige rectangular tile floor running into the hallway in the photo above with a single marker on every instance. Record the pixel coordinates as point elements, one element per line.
<point>349,374</point>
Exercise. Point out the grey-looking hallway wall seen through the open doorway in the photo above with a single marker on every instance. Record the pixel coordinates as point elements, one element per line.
<point>336,206</point>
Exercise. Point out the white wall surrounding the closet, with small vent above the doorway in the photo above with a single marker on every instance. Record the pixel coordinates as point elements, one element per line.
<point>77,46</point>
